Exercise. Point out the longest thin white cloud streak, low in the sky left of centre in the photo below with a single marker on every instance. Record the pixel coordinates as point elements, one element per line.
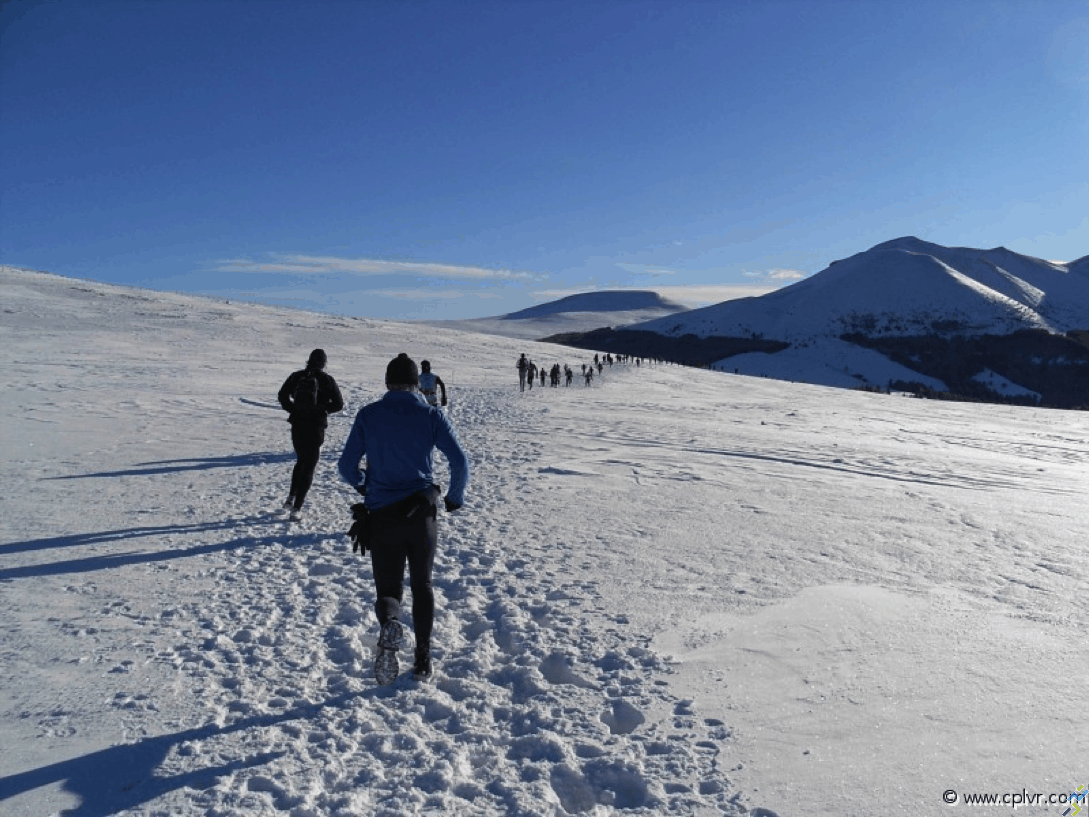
<point>308,265</point>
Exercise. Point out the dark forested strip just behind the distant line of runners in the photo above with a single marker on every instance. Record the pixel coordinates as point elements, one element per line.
<point>689,350</point>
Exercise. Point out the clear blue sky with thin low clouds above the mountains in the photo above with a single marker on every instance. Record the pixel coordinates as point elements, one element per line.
<point>466,160</point>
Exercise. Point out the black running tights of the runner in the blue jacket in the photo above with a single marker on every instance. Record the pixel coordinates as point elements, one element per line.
<point>395,543</point>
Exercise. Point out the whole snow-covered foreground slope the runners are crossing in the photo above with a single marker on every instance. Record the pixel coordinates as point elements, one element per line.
<point>675,592</point>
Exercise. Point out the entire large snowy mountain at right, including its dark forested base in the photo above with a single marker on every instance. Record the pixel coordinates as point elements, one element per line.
<point>952,323</point>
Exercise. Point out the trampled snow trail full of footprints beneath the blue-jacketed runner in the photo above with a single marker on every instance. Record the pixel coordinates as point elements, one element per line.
<point>503,729</point>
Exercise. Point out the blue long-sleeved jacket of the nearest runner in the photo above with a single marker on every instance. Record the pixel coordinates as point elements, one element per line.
<point>398,435</point>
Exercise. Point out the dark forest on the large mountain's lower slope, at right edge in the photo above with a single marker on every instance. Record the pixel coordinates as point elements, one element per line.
<point>1053,365</point>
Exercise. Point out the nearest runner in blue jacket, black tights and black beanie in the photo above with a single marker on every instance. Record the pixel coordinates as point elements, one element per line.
<point>398,435</point>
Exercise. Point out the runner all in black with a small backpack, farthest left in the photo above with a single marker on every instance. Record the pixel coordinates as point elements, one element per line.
<point>309,426</point>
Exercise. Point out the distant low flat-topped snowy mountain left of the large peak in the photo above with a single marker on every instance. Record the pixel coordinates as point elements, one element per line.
<point>572,314</point>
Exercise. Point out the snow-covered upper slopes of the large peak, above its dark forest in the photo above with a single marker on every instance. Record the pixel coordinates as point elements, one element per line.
<point>907,287</point>
